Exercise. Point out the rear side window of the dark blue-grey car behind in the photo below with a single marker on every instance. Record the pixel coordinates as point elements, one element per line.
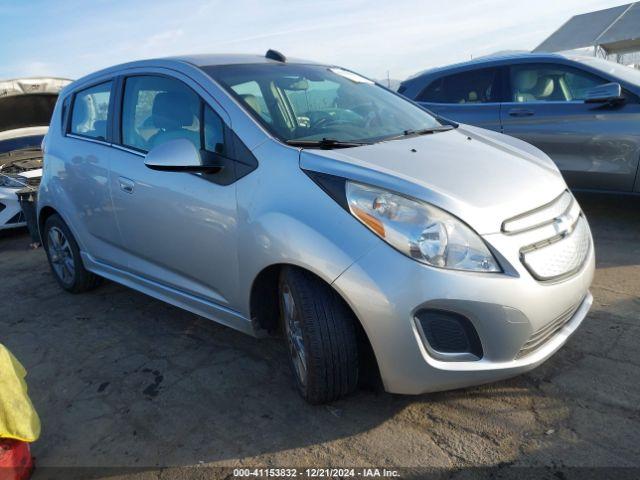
<point>475,86</point>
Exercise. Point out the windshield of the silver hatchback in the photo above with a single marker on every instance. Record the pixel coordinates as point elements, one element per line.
<point>313,102</point>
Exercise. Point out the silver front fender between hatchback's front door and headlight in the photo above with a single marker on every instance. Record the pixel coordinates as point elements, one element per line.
<point>286,218</point>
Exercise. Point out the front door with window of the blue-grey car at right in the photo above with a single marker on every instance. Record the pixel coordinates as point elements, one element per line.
<point>595,145</point>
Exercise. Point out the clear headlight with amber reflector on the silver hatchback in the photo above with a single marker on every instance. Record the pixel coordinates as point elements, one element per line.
<point>420,230</point>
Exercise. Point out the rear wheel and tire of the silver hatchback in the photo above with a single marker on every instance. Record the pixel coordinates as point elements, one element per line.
<point>64,257</point>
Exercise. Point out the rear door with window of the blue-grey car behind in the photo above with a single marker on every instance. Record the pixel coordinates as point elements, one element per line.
<point>472,97</point>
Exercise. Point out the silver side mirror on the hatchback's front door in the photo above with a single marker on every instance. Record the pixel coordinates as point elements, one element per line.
<point>180,155</point>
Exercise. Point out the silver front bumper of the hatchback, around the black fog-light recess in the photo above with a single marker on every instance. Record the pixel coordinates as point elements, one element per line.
<point>386,289</point>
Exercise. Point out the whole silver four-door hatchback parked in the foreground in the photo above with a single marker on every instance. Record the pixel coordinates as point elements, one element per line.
<point>281,196</point>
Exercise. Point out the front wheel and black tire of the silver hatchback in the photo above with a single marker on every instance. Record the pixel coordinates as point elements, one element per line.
<point>315,317</point>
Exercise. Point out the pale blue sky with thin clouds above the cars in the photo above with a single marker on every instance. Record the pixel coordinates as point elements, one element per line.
<point>73,38</point>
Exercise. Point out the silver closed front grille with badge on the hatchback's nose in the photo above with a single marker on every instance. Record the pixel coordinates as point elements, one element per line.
<point>556,236</point>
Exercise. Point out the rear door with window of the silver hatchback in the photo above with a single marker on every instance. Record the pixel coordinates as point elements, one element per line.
<point>82,170</point>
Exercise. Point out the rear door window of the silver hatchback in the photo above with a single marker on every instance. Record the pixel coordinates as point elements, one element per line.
<point>91,111</point>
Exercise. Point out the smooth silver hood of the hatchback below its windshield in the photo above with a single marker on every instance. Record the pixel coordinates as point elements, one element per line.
<point>482,177</point>
